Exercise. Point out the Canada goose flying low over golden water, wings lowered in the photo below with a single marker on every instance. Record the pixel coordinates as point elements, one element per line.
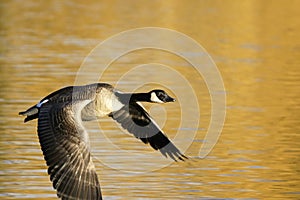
<point>65,142</point>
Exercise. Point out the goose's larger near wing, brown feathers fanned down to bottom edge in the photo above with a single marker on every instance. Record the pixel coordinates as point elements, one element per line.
<point>65,146</point>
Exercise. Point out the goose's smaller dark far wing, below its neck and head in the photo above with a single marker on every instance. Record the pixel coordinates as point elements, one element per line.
<point>137,121</point>
